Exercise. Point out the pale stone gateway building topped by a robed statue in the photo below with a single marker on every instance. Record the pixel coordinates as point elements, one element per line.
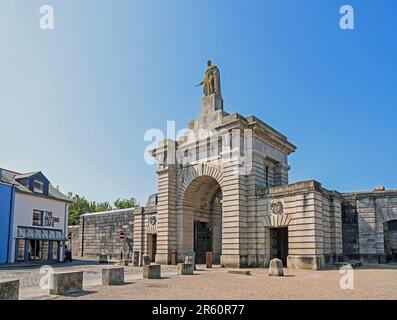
<point>223,188</point>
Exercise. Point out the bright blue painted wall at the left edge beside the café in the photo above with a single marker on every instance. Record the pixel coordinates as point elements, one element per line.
<point>7,198</point>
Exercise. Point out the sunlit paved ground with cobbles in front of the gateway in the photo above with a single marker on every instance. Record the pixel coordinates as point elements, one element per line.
<point>370,282</point>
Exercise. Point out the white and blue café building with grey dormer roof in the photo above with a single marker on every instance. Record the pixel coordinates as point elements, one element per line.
<point>33,218</point>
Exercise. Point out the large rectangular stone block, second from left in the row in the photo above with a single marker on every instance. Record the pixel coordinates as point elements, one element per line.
<point>66,282</point>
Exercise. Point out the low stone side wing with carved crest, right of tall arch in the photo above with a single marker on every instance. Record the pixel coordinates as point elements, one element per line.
<point>313,217</point>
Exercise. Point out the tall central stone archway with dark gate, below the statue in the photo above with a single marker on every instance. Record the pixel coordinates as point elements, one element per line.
<point>199,214</point>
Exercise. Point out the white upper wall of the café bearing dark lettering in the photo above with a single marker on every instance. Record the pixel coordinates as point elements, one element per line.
<point>23,213</point>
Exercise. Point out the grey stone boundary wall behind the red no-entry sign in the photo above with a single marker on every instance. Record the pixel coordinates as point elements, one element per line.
<point>99,233</point>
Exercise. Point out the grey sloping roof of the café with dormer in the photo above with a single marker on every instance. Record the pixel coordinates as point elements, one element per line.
<point>12,177</point>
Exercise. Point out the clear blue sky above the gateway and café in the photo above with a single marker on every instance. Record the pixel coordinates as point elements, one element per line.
<point>76,101</point>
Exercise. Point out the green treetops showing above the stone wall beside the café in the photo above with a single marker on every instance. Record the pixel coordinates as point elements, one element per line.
<point>80,205</point>
